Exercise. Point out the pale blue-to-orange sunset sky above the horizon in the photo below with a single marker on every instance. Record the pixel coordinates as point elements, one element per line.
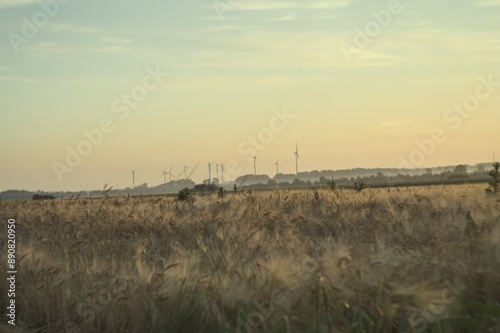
<point>90,90</point>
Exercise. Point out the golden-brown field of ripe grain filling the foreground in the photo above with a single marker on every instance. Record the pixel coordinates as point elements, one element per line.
<point>382,260</point>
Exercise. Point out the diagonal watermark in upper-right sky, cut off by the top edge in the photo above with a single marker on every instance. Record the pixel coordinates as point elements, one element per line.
<point>363,37</point>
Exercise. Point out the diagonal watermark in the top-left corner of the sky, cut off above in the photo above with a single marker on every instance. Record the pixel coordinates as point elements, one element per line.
<point>39,20</point>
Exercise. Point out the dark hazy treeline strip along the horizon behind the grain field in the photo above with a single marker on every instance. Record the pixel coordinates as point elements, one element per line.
<point>343,178</point>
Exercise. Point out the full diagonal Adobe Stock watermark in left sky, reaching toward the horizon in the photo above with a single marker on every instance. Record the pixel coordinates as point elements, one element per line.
<point>95,136</point>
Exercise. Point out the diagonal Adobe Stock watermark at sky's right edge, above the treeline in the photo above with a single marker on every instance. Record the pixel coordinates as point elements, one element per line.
<point>453,116</point>
